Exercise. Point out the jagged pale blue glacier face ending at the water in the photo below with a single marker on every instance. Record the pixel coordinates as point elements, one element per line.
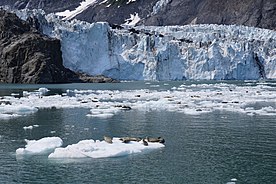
<point>189,52</point>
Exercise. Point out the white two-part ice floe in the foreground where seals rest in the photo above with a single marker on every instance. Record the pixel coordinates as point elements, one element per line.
<point>51,147</point>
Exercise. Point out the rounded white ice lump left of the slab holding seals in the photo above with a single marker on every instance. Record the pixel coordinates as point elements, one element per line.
<point>42,146</point>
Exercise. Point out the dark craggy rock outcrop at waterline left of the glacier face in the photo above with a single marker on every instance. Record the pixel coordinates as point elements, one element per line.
<point>26,56</point>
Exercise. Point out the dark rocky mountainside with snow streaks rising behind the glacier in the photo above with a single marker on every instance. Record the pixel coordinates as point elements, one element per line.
<point>257,13</point>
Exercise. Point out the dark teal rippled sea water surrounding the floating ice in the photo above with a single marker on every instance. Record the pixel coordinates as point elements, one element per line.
<point>217,146</point>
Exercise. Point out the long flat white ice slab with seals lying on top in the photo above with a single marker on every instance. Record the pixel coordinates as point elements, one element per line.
<point>102,149</point>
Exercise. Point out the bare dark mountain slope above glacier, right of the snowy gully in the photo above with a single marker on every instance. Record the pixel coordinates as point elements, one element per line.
<point>257,13</point>
